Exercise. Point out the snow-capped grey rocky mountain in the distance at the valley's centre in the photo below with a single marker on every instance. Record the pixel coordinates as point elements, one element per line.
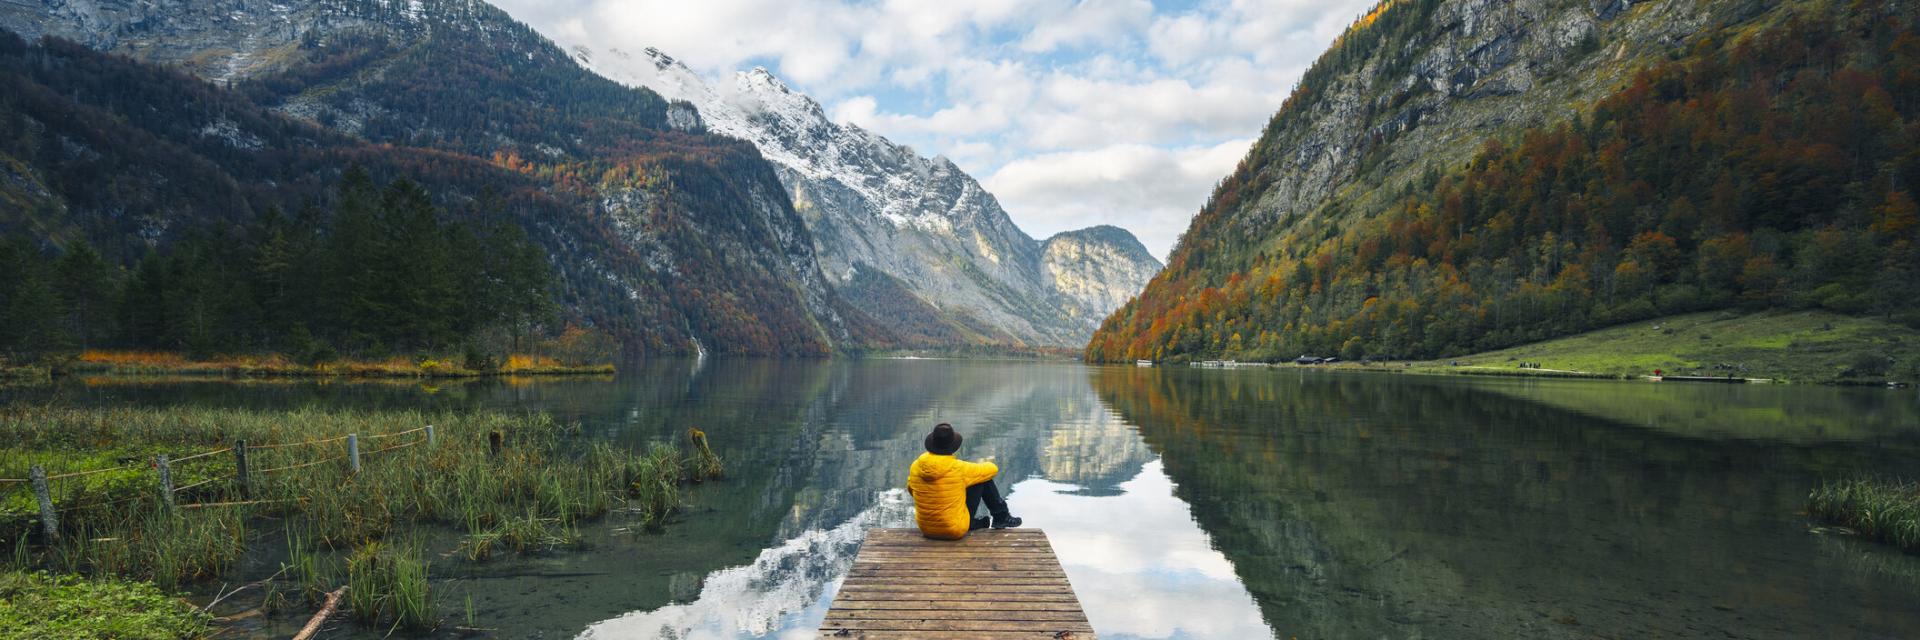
<point>913,241</point>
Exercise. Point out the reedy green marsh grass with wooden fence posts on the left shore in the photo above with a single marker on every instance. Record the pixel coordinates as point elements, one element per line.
<point>412,505</point>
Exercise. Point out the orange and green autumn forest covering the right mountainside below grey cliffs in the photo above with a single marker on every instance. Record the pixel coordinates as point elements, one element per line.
<point>1775,170</point>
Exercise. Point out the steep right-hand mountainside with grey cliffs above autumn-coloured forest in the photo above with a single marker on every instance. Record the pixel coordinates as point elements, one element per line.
<point>1468,176</point>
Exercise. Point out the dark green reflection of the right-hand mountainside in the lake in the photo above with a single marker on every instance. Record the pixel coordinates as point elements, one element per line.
<point>1383,506</point>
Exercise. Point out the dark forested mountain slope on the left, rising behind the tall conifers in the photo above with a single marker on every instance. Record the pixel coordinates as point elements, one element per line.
<point>667,237</point>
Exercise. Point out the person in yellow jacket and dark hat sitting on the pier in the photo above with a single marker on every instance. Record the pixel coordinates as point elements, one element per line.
<point>946,491</point>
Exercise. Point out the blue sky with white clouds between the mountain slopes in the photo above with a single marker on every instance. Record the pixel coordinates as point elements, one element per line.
<point>1070,112</point>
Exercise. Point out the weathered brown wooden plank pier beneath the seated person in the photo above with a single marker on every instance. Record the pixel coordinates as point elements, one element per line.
<point>990,585</point>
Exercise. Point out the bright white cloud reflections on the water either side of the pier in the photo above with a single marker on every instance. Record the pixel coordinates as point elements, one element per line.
<point>1138,560</point>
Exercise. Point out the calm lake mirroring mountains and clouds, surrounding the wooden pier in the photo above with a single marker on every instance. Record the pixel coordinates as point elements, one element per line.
<point>1212,505</point>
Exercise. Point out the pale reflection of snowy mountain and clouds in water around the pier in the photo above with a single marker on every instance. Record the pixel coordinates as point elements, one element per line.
<point>1141,566</point>
